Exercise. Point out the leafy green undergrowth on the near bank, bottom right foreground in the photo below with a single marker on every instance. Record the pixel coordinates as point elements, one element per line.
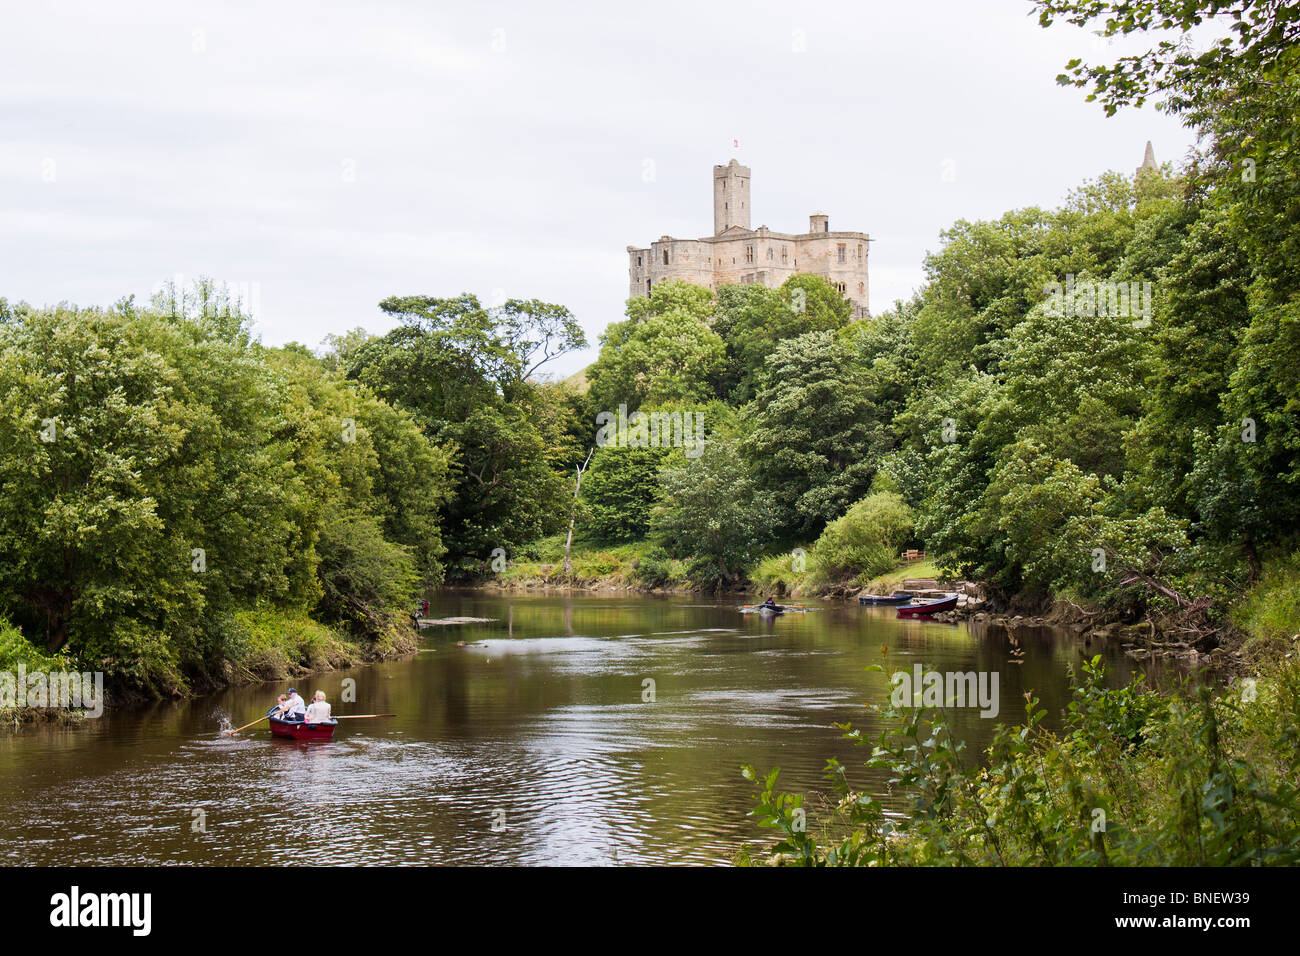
<point>1133,778</point>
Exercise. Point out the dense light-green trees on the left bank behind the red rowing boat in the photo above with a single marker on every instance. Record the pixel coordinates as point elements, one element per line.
<point>162,473</point>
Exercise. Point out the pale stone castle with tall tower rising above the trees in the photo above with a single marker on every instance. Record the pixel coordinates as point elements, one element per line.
<point>736,254</point>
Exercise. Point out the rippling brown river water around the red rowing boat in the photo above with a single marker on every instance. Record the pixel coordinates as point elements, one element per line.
<point>527,741</point>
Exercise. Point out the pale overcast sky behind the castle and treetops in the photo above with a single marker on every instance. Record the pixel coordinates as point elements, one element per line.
<point>326,155</point>
